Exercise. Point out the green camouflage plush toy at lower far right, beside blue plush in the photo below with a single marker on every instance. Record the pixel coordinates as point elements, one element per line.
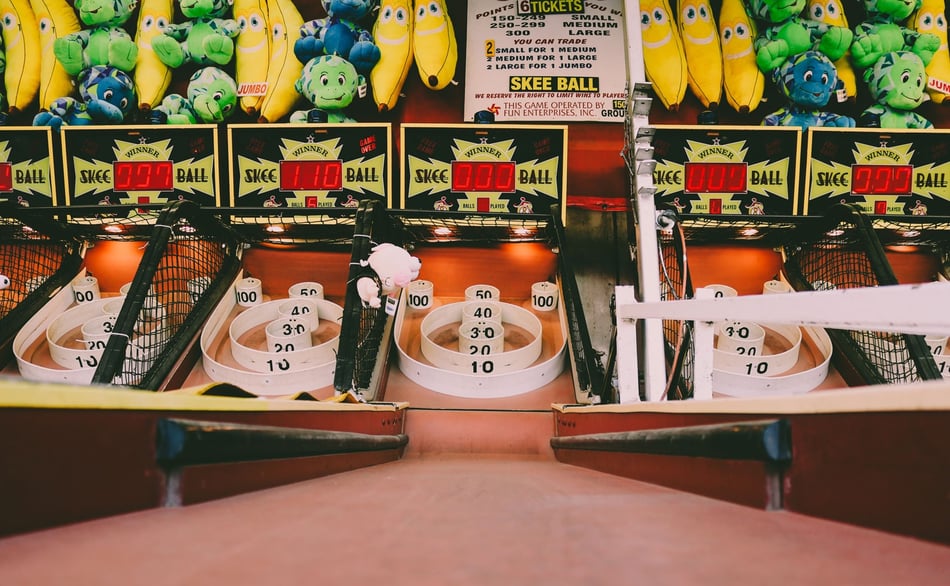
<point>897,82</point>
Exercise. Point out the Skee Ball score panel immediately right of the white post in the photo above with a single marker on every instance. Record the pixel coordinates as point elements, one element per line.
<point>727,170</point>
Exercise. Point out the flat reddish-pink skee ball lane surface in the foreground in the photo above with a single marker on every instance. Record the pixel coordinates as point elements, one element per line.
<point>467,519</point>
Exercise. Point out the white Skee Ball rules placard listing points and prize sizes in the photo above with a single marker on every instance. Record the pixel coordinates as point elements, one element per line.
<point>546,60</point>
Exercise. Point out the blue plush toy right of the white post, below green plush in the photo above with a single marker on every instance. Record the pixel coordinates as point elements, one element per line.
<point>808,81</point>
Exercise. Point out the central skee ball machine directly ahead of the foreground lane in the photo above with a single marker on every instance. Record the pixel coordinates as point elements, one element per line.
<point>495,320</point>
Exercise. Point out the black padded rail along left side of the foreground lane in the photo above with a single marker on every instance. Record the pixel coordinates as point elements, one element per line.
<point>186,442</point>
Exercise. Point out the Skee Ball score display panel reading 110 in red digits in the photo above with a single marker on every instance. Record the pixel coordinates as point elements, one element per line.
<point>309,165</point>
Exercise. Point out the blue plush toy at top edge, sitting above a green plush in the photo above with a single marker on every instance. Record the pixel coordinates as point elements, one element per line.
<point>340,34</point>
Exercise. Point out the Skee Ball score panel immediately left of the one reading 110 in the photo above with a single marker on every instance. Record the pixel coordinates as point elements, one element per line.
<point>154,164</point>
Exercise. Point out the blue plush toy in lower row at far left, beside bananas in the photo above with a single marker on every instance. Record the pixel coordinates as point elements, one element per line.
<point>107,95</point>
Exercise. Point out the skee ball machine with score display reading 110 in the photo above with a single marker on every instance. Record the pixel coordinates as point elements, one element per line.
<point>295,192</point>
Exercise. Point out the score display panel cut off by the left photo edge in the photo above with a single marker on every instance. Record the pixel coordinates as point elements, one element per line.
<point>27,175</point>
